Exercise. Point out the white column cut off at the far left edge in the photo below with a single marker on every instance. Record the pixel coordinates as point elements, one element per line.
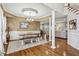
<point>1,33</point>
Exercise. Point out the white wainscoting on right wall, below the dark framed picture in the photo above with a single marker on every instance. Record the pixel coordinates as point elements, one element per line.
<point>74,39</point>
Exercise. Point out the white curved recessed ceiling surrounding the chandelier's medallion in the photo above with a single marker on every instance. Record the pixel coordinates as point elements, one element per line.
<point>16,8</point>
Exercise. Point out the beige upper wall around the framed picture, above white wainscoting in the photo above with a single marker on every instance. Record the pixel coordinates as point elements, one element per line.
<point>14,24</point>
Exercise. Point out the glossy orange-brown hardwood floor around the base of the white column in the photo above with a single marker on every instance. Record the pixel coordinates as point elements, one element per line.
<point>62,49</point>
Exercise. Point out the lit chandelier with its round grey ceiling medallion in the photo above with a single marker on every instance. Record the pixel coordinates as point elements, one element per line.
<point>30,13</point>
